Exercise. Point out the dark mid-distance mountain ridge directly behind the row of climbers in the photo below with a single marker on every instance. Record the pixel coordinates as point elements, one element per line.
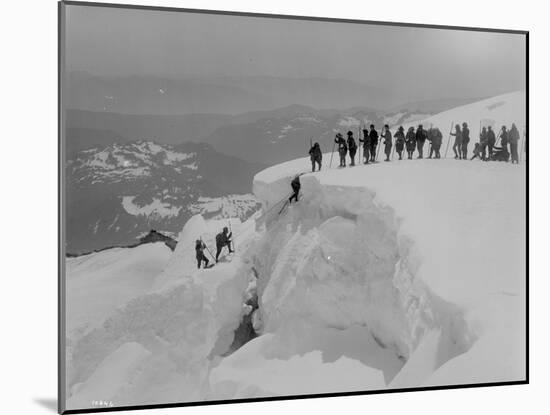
<point>264,137</point>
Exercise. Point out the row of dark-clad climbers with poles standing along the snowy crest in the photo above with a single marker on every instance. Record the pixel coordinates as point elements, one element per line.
<point>415,140</point>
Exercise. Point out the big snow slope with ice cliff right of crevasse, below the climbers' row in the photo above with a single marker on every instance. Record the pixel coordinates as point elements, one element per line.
<point>427,255</point>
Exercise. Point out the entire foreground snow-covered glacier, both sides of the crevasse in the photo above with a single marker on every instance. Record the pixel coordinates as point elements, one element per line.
<point>393,275</point>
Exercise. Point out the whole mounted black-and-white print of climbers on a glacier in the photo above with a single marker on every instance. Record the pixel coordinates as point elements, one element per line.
<point>259,207</point>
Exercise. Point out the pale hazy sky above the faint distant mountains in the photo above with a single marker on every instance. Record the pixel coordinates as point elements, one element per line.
<point>427,63</point>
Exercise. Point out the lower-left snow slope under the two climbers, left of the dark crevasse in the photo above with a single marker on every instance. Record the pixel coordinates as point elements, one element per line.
<point>157,345</point>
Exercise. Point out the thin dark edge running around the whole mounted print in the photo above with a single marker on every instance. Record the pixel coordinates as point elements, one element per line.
<point>61,228</point>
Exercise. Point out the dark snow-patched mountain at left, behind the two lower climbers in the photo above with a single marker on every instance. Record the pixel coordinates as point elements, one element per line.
<point>117,193</point>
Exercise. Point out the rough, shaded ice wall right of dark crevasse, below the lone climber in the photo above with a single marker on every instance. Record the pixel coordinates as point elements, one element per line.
<point>335,264</point>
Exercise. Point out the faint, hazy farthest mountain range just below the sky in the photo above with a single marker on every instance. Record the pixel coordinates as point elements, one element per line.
<point>144,95</point>
